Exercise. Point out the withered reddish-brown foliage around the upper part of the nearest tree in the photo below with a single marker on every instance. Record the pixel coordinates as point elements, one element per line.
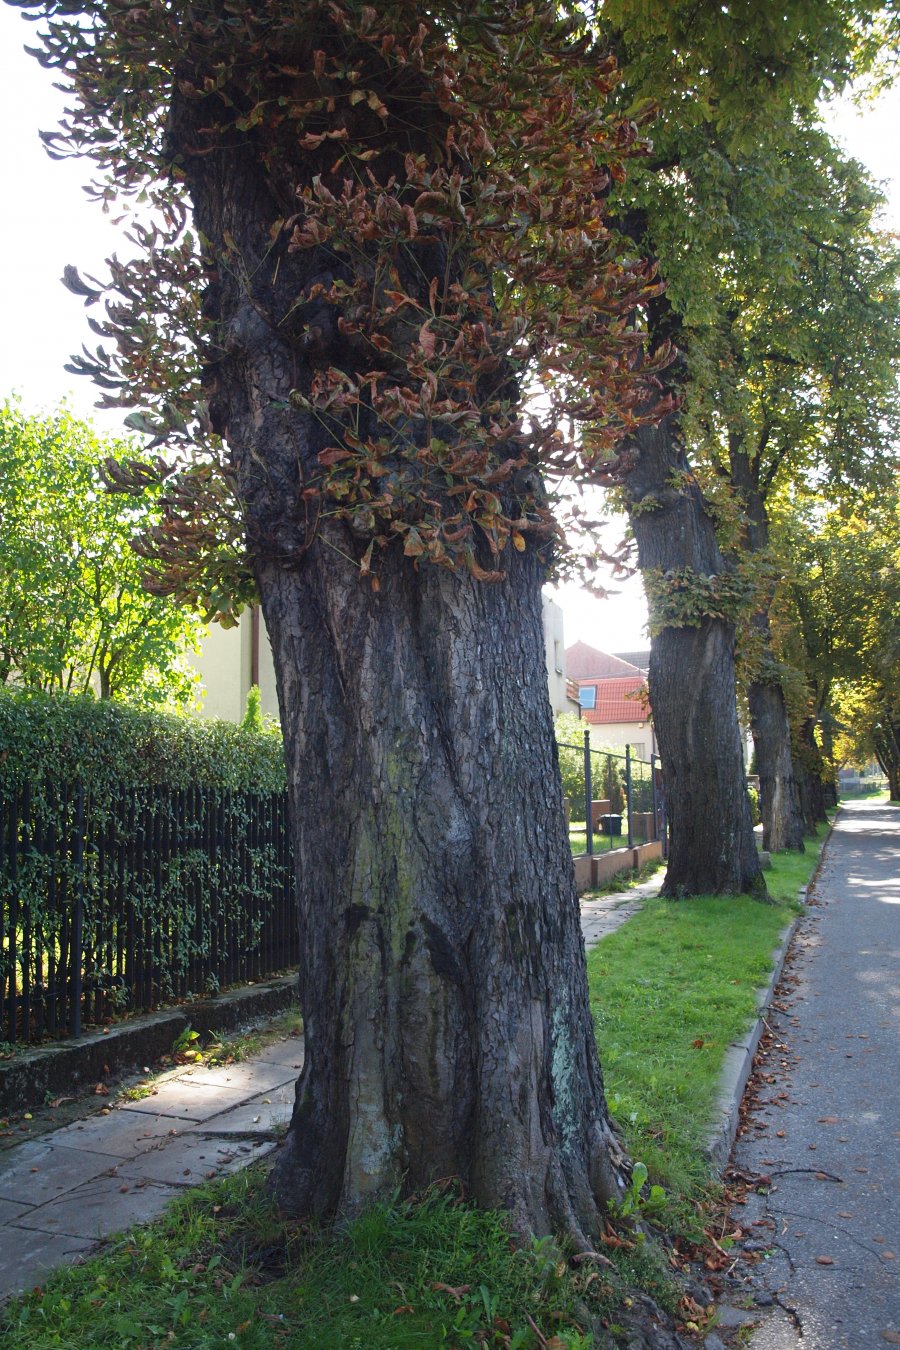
<point>419,425</point>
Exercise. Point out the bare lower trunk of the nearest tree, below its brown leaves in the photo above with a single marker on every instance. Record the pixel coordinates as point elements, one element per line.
<point>443,981</point>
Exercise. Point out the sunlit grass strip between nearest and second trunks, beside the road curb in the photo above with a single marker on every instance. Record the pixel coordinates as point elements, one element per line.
<point>671,990</point>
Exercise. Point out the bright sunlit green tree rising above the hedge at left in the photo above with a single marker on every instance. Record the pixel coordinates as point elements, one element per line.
<point>74,614</point>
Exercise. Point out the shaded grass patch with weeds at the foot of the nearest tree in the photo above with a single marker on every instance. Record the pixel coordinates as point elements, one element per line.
<point>222,1267</point>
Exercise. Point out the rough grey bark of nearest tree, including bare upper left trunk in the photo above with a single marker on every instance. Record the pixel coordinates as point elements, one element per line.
<point>443,982</point>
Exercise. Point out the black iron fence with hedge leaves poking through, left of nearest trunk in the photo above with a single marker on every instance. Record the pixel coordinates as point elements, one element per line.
<point>114,907</point>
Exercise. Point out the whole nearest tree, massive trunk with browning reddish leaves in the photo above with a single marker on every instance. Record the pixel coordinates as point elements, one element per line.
<point>401,222</point>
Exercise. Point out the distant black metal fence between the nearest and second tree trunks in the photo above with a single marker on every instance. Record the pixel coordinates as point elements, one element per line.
<point>615,801</point>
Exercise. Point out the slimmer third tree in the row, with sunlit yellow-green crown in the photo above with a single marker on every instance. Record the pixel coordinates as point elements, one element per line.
<point>785,398</point>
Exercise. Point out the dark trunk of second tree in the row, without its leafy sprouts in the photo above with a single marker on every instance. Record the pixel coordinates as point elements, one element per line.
<point>693,686</point>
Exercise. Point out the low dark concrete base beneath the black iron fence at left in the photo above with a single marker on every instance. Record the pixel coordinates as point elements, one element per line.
<point>103,1056</point>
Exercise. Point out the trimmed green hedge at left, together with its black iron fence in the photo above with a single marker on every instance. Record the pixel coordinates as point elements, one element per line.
<point>173,848</point>
